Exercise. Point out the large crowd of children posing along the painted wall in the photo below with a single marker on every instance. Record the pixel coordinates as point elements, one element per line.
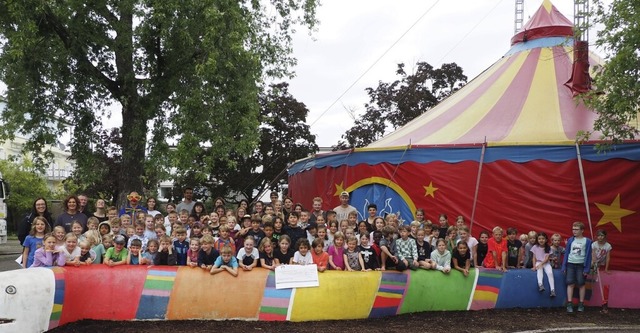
<point>216,243</point>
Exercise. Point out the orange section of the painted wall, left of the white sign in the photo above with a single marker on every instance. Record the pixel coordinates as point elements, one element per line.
<point>197,294</point>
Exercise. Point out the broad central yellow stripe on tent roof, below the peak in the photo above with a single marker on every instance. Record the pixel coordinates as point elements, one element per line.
<point>540,116</point>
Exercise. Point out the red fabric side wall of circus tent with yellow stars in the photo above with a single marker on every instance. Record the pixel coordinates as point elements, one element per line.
<point>538,195</point>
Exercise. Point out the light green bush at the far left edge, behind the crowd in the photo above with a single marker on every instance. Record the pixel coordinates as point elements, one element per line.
<point>25,185</point>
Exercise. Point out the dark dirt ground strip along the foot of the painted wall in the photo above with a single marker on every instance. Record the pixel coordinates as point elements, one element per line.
<point>494,321</point>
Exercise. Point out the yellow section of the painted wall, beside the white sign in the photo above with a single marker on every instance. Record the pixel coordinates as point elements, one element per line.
<point>340,296</point>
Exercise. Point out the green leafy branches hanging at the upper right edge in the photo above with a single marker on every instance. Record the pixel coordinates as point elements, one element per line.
<point>617,85</point>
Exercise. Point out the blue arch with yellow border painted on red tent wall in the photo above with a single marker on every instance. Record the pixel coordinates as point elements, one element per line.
<point>387,195</point>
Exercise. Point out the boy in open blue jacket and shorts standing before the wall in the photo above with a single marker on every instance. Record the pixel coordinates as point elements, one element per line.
<point>576,264</point>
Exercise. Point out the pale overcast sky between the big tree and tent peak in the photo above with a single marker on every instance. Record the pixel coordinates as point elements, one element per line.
<point>354,34</point>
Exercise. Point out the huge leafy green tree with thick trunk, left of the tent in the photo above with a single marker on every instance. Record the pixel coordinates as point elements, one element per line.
<point>180,69</point>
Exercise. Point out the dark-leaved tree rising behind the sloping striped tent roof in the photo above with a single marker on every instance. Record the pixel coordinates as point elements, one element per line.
<point>393,104</point>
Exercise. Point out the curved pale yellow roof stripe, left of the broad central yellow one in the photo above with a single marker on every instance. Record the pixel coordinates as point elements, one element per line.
<point>458,127</point>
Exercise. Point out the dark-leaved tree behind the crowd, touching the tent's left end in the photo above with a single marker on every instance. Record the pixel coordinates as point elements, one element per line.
<point>284,137</point>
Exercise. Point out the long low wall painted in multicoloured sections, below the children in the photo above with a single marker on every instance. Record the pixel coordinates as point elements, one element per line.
<point>39,299</point>
